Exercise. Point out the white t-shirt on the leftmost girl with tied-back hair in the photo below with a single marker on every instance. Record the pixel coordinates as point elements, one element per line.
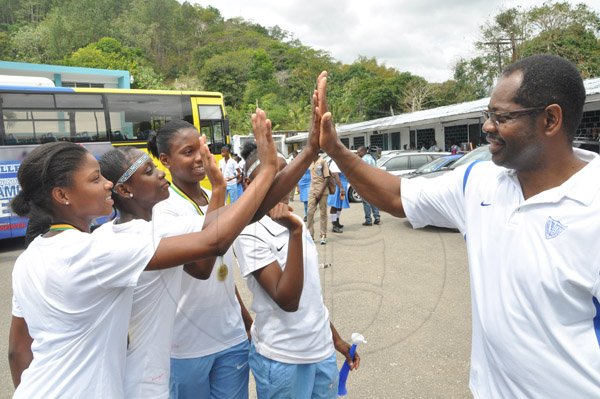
<point>75,291</point>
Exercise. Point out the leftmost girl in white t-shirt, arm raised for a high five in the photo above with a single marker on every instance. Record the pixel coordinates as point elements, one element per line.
<point>72,290</point>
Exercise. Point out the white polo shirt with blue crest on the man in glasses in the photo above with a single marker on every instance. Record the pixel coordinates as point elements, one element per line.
<point>535,276</point>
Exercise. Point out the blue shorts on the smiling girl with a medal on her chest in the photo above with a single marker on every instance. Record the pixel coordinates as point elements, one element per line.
<point>220,375</point>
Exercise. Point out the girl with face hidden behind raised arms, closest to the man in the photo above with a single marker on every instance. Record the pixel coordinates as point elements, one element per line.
<point>293,342</point>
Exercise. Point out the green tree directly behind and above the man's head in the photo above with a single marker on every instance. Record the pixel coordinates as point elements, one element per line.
<point>559,28</point>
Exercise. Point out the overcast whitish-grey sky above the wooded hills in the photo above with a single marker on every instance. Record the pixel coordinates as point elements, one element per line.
<point>424,37</point>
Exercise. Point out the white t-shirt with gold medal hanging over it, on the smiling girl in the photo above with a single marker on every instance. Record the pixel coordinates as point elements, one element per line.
<point>208,318</point>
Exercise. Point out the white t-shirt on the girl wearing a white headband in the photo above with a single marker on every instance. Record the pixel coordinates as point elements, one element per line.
<point>152,316</point>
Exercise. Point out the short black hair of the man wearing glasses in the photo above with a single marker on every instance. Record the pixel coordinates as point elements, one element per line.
<point>549,79</point>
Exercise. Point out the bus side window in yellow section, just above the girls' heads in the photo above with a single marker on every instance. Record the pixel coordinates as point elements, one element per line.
<point>133,116</point>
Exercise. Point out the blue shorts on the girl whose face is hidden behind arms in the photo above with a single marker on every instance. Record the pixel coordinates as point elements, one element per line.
<point>298,381</point>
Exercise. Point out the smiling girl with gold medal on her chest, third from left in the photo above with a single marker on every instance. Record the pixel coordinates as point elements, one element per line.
<point>209,352</point>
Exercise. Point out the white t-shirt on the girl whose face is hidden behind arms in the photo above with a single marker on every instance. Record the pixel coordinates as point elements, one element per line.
<point>299,337</point>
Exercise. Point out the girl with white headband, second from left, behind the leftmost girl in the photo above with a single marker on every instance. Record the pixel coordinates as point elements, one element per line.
<point>156,294</point>
